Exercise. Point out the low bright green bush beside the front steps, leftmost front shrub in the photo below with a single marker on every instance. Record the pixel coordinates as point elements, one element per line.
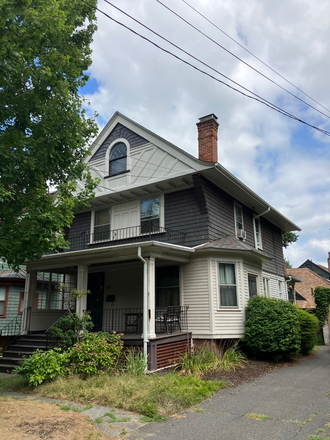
<point>43,366</point>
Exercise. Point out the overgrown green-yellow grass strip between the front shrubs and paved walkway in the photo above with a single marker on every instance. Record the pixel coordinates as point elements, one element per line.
<point>148,395</point>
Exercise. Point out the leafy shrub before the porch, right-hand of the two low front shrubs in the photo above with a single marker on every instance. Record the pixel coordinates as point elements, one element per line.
<point>95,354</point>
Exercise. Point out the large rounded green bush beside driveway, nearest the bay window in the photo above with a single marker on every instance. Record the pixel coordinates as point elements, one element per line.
<point>272,328</point>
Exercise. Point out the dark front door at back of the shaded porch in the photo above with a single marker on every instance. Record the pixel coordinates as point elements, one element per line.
<point>95,299</point>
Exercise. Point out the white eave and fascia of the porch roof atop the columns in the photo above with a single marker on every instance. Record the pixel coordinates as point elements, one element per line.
<point>164,251</point>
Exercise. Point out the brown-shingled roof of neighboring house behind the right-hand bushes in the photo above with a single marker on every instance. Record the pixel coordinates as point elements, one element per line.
<point>305,289</point>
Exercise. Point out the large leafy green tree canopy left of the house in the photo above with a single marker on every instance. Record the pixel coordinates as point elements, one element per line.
<point>44,131</point>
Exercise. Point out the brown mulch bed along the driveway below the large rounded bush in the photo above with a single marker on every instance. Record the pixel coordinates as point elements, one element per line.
<point>251,371</point>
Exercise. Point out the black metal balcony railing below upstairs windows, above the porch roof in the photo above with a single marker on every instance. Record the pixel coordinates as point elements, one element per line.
<point>133,234</point>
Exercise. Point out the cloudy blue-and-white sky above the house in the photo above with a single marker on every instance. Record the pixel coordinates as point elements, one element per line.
<point>284,161</point>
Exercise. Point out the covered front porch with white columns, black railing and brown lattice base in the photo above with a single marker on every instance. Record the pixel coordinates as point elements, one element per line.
<point>135,290</point>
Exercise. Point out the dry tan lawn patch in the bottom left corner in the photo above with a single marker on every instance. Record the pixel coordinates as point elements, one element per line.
<point>27,420</point>
